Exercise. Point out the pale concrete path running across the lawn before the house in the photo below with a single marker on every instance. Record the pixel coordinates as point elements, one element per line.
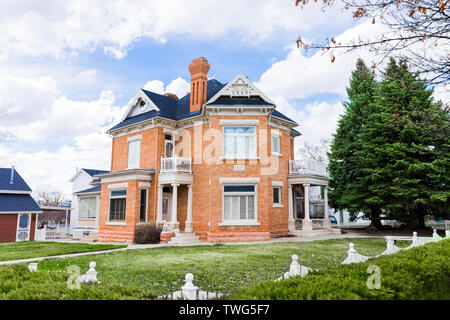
<point>161,245</point>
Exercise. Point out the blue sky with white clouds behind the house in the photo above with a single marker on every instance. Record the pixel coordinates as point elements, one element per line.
<point>68,69</point>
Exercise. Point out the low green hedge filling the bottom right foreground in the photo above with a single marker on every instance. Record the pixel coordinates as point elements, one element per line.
<point>418,273</point>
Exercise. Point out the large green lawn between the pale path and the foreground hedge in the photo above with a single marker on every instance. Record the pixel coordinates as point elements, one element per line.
<point>149,273</point>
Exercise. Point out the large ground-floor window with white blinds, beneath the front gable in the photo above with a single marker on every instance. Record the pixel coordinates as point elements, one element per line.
<point>239,203</point>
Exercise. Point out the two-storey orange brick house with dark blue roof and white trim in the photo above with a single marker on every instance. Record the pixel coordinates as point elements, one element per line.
<point>217,163</point>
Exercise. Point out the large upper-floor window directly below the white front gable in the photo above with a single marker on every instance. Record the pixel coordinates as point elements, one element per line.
<point>239,142</point>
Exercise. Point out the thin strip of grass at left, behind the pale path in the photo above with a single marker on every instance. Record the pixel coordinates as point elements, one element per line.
<point>26,249</point>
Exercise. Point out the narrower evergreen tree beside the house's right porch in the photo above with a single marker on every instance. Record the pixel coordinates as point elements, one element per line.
<point>344,171</point>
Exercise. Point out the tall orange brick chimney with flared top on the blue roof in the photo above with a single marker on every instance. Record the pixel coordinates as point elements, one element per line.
<point>199,76</point>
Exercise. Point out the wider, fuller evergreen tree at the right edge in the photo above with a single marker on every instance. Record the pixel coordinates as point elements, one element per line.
<point>404,157</point>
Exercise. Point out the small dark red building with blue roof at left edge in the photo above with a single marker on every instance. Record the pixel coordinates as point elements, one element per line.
<point>18,209</point>
